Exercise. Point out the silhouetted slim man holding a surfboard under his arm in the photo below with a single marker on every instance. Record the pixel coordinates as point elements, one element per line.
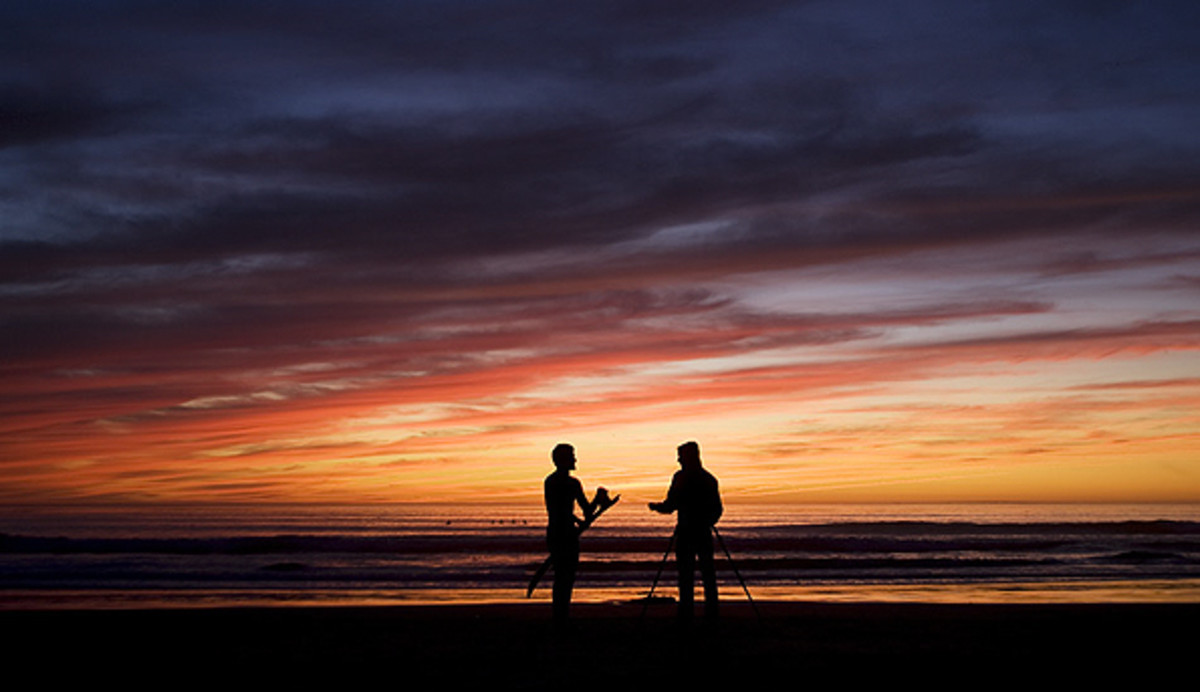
<point>563,492</point>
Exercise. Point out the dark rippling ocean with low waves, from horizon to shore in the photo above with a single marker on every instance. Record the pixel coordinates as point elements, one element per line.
<point>351,556</point>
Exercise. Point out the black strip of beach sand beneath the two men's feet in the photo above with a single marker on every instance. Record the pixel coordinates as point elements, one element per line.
<point>794,646</point>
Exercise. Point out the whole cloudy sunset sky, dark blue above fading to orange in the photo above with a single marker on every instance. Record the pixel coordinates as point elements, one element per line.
<point>315,251</point>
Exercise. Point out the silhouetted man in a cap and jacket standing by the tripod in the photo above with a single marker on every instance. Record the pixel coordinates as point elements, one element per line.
<point>695,497</point>
